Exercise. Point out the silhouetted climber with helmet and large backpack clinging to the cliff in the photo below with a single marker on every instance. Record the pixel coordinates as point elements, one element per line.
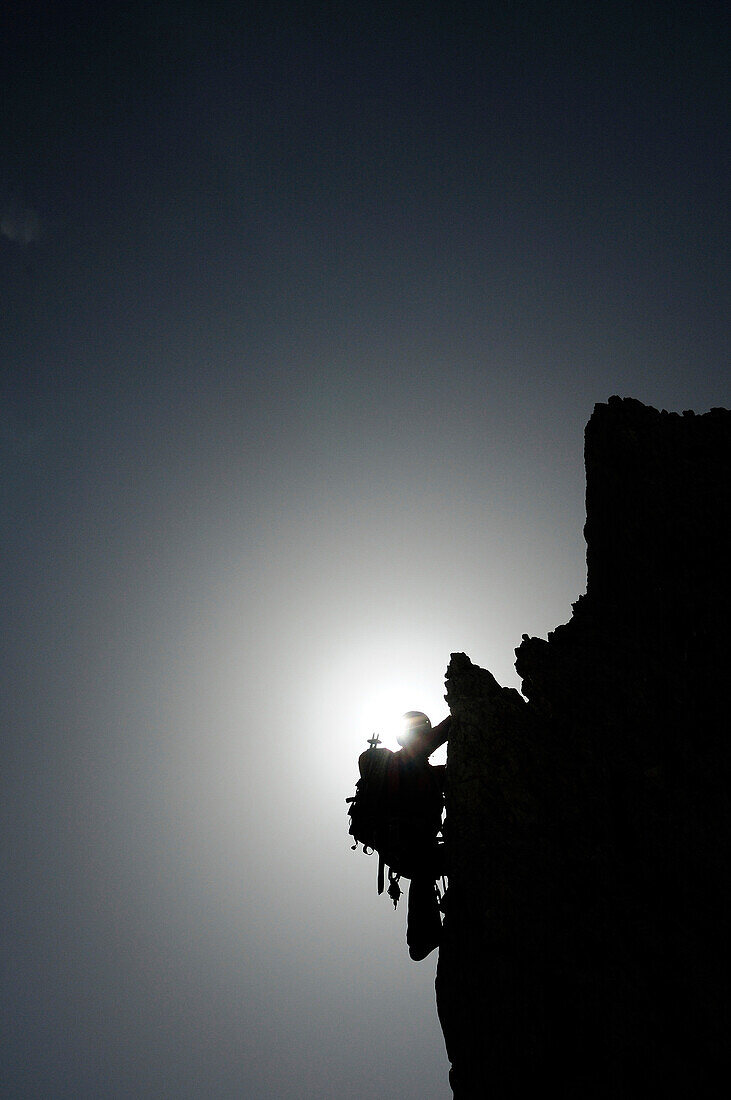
<point>397,811</point>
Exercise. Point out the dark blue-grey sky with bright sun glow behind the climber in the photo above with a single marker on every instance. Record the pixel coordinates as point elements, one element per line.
<point>304,310</point>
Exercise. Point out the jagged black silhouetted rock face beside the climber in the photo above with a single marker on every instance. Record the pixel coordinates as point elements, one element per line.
<point>589,916</point>
